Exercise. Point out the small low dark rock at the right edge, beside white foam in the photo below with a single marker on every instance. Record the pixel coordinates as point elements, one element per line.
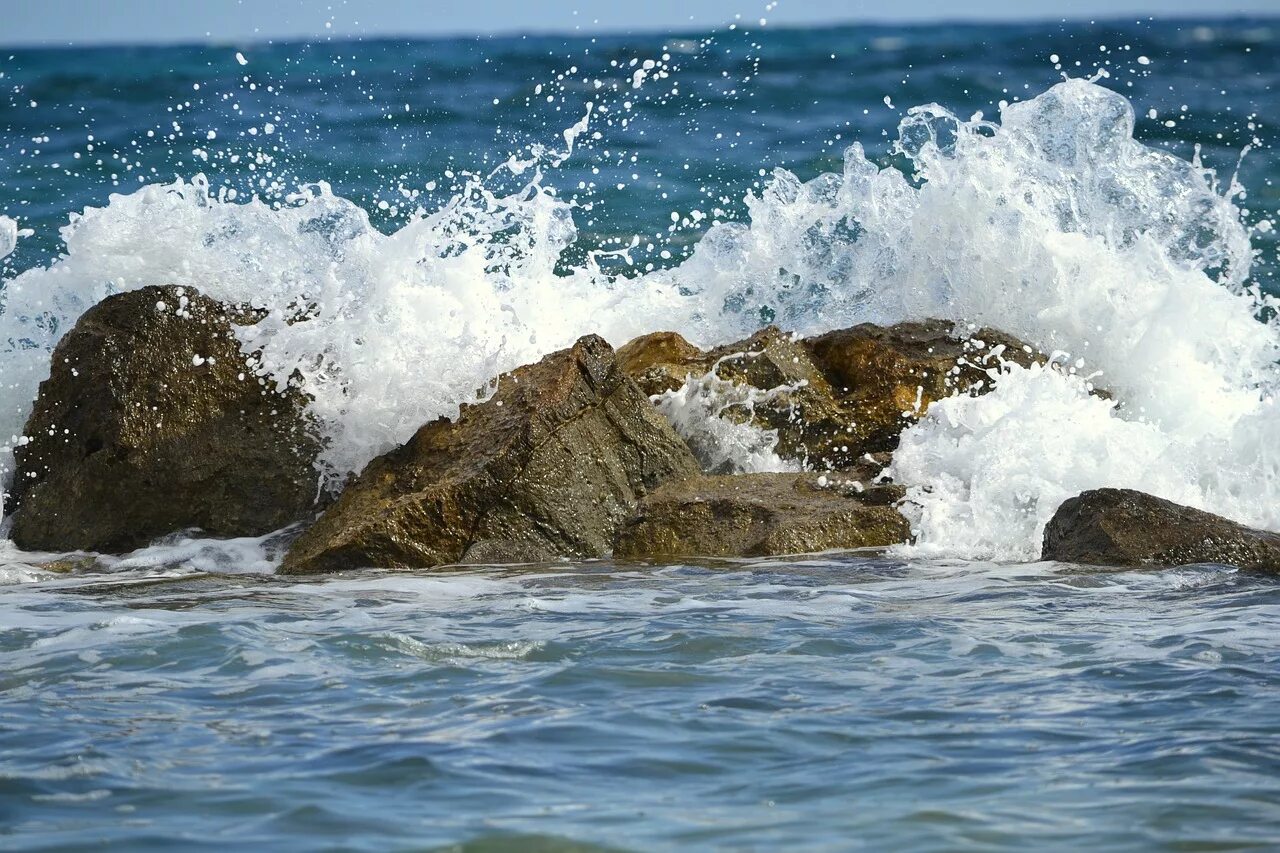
<point>1127,528</point>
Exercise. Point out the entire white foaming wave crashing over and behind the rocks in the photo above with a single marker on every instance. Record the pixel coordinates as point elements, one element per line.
<point>1055,226</point>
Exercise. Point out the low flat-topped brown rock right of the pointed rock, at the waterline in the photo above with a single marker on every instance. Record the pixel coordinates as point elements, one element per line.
<point>753,516</point>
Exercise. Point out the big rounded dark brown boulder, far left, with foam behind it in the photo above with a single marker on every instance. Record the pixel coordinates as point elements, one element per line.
<point>153,421</point>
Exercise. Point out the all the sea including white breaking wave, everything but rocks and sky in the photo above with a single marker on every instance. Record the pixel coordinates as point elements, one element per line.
<point>473,204</point>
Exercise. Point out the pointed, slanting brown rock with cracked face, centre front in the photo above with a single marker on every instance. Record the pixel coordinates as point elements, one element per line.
<point>551,467</point>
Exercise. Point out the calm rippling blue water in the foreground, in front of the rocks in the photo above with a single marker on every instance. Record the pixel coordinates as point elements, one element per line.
<point>817,705</point>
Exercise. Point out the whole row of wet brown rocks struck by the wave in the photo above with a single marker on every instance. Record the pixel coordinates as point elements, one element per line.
<point>156,421</point>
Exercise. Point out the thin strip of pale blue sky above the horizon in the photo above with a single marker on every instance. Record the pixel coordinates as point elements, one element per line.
<point>84,22</point>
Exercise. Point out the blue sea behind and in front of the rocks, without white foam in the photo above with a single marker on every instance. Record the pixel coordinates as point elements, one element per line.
<point>186,699</point>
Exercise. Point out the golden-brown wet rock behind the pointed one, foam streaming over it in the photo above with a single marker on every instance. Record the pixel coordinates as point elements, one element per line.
<point>839,396</point>
